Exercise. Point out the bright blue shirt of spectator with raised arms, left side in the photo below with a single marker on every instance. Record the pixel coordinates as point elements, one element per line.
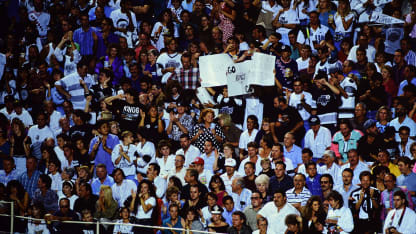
<point>102,156</point>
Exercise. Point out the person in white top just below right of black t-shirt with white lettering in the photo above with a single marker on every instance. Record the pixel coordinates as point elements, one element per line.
<point>145,150</point>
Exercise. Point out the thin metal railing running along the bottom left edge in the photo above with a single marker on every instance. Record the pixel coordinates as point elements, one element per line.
<point>97,223</point>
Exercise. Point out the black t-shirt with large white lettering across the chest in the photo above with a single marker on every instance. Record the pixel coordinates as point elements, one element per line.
<point>128,115</point>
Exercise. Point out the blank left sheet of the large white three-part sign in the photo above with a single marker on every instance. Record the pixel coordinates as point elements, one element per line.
<point>213,69</point>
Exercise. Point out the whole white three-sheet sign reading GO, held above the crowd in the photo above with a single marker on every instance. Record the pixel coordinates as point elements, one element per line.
<point>220,69</point>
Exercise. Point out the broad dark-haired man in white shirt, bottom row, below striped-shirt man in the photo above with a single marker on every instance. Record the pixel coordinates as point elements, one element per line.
<point>276,211</point>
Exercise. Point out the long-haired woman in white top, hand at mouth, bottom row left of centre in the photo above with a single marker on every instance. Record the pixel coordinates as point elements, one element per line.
<point>142,204</point>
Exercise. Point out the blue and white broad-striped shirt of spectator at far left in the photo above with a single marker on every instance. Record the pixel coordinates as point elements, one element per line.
<point>71,84</point>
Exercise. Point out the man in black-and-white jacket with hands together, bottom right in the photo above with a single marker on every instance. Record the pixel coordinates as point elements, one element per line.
<point>365,203</point>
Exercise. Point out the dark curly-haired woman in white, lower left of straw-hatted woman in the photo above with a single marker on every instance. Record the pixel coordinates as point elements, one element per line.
<point>165,160</point>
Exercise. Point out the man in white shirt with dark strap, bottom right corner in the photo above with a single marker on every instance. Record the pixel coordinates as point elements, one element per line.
<point>401,219</point>
